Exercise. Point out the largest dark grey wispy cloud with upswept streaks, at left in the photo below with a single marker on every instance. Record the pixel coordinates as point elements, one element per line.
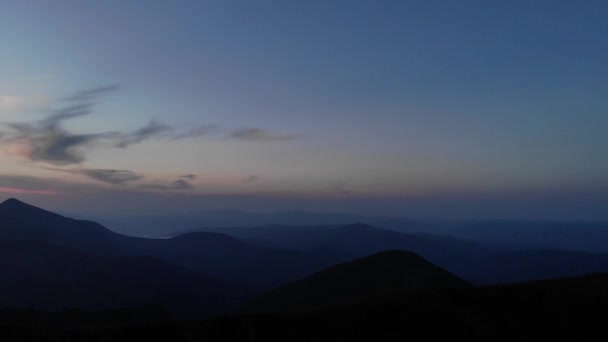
<point>48,141</point>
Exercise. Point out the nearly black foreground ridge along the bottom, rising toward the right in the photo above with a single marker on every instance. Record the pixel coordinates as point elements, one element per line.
<point>564,308</point>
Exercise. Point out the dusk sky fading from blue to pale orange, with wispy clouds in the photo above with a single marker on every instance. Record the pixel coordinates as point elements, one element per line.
<point>439,109</point>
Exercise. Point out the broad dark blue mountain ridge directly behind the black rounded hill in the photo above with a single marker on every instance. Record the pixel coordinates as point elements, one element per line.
<point>347,242</point>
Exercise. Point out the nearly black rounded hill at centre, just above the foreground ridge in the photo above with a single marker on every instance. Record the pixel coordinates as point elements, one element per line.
<point>379,274</point>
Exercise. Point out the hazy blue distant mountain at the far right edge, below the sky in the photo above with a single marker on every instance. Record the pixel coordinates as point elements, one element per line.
<point>591,237</point>
